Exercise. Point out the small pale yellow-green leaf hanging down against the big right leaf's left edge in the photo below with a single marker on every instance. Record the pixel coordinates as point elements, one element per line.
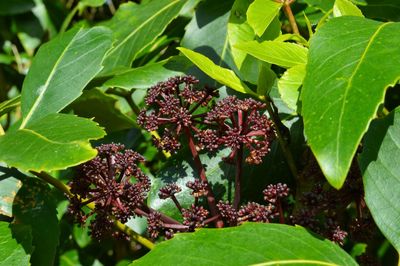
<point>289,85</point>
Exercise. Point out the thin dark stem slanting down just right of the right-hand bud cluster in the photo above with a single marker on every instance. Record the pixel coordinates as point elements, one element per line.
<point>285,147</point>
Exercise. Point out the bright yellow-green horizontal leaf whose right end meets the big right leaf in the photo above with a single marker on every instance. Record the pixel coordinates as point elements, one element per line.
<point>283,54</point>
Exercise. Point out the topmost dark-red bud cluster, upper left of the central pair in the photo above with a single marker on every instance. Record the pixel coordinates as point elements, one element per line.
<point>171,106</point>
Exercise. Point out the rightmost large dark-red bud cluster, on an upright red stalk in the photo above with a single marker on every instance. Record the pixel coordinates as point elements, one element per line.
<point>238,123</point>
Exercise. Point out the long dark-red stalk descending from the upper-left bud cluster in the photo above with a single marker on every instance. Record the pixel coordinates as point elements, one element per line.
<point>202,173</point>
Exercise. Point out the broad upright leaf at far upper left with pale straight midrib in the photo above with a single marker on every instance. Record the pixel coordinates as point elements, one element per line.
<point>60,71</point>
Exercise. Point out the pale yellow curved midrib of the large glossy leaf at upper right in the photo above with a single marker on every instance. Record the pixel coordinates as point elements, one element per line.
<point>350,81</point>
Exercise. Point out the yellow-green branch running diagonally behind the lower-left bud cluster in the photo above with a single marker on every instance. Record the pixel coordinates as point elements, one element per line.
<point>66,189</point>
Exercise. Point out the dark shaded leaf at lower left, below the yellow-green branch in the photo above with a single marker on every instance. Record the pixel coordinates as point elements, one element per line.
<point>34,207</point>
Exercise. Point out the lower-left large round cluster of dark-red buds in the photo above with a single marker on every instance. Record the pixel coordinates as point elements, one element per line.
<point>107,182</point>
